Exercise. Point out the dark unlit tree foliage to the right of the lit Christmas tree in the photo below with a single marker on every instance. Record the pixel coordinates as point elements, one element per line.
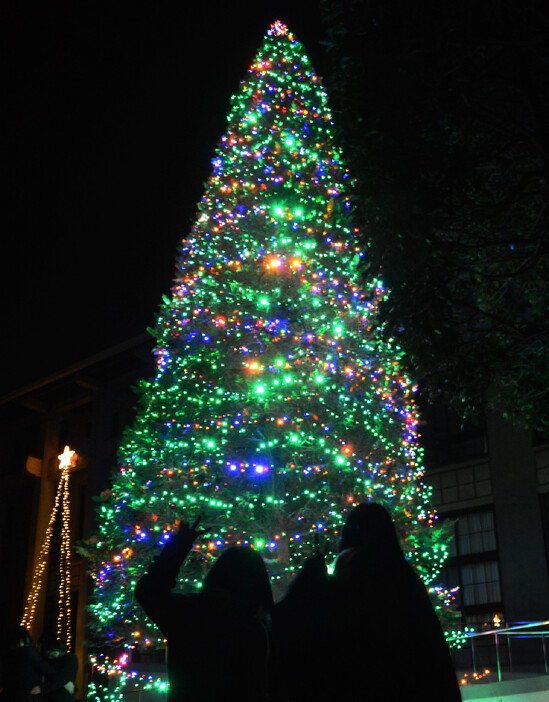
<point>443,111</point>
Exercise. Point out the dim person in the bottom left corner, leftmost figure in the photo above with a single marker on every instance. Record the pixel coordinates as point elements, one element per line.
<point>22,668</point>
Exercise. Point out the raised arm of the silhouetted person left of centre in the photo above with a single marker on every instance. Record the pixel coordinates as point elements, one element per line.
<point>153,591</point>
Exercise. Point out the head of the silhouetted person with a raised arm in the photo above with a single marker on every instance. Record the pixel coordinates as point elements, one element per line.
<point>240,571</point>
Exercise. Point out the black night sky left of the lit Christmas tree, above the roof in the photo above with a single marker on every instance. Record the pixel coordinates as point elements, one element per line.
<point>113,112</point>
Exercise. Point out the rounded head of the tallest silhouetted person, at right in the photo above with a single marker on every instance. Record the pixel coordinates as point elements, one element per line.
<point>369,527</point>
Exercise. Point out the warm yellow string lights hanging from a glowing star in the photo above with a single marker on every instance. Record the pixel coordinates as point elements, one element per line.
<point>61,504</point>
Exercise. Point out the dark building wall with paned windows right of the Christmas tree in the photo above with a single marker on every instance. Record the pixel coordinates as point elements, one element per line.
<point>492,481</point>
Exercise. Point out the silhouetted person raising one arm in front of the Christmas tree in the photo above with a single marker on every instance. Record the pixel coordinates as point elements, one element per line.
<point>218,638</point>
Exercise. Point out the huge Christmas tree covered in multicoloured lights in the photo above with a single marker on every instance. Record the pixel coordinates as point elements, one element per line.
<point>276,406</point>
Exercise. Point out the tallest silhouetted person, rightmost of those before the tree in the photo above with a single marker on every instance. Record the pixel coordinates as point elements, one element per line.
<point>401,651</point>
